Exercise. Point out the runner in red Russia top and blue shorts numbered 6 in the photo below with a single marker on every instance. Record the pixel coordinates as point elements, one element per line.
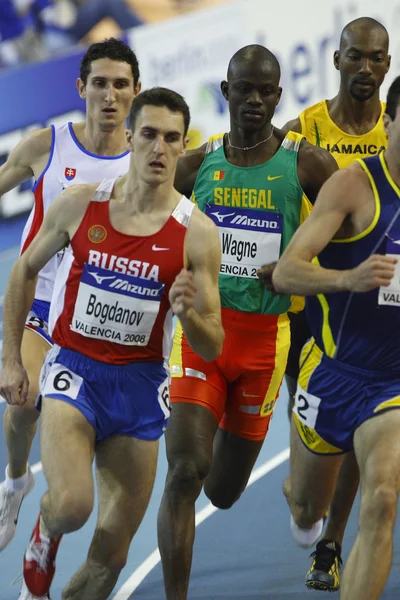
<point>136,250</point>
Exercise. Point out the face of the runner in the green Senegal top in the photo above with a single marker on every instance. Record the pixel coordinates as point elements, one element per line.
<point>253,93</point>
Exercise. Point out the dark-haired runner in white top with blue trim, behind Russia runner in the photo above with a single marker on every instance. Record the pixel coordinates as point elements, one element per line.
<point>58,157</point>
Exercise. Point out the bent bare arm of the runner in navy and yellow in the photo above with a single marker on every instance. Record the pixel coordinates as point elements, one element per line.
<point>343,198</point>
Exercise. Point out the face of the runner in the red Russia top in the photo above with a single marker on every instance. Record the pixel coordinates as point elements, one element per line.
<point>157,143</point>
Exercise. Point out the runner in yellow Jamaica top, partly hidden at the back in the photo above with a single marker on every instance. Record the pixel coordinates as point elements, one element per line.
<point>350,126</point>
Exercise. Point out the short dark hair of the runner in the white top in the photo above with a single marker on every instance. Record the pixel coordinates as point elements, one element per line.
<point>114,50</point>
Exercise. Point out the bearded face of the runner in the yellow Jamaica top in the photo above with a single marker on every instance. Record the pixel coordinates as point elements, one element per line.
<point>363,62</point>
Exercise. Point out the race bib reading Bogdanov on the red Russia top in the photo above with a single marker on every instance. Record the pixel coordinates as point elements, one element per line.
<point>116,307</point>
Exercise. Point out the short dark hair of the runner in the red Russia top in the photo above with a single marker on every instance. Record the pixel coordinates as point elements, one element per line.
<point>159,97</point>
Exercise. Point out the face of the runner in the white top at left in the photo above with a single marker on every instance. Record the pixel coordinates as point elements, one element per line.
<point>109,92</point>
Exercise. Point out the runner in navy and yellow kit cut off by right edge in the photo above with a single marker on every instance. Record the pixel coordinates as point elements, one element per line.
<point>350,370</point>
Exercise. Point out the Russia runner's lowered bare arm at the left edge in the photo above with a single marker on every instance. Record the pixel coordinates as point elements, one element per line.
<point>58,226</point>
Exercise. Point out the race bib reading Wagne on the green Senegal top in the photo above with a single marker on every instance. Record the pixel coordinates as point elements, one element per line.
<point>249,238</point>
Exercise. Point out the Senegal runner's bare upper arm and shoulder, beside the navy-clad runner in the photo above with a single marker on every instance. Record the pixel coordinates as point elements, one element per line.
<point>315,165</point>
